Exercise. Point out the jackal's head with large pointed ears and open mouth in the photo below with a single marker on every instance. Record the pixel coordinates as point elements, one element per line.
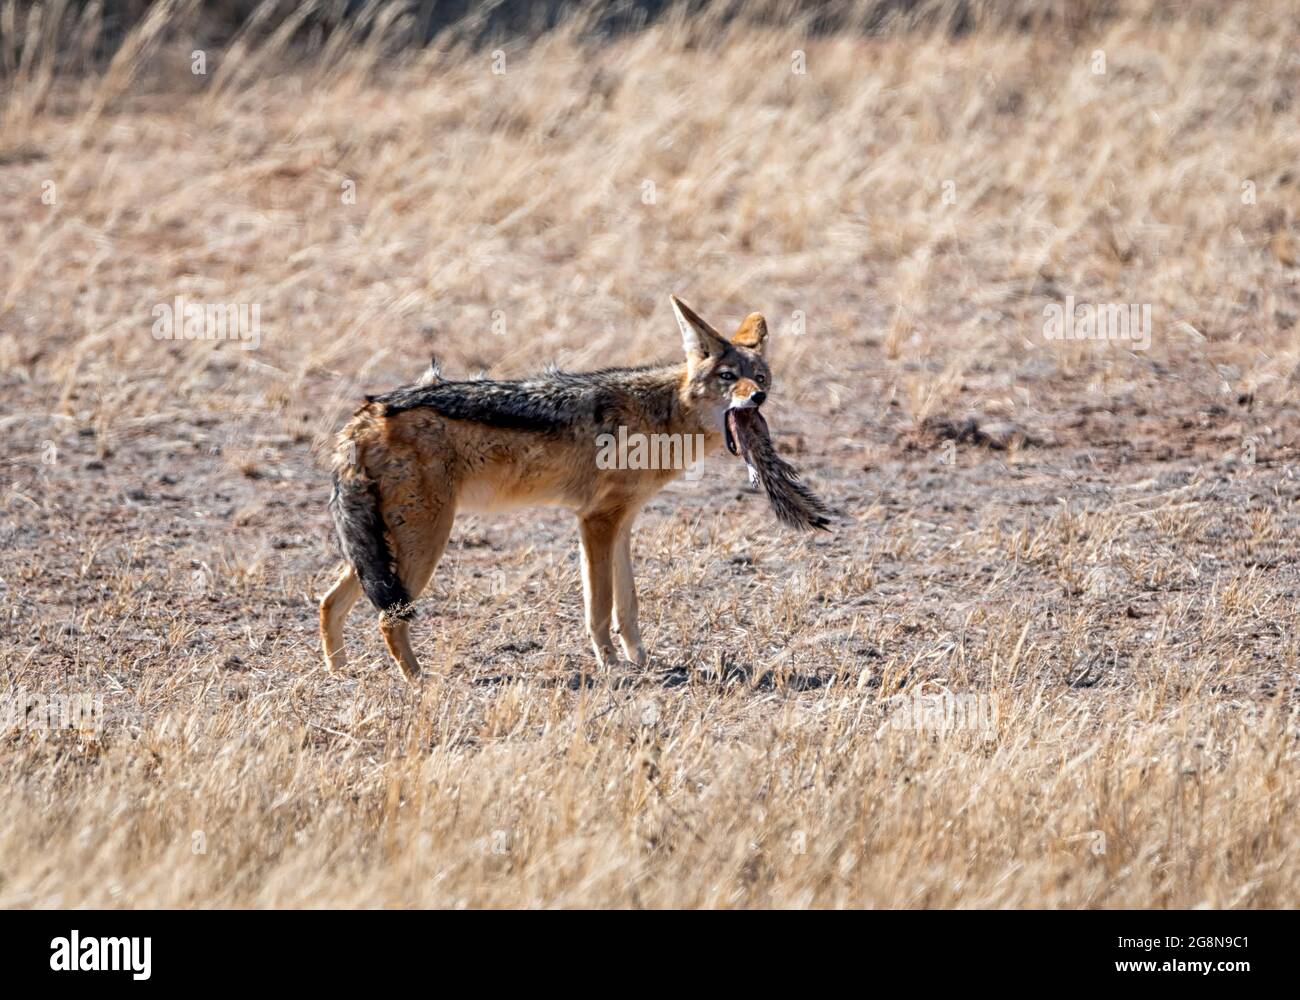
<point>722,375</point>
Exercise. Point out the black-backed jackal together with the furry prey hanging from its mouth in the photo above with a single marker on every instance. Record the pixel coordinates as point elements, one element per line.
<point>410,460</point>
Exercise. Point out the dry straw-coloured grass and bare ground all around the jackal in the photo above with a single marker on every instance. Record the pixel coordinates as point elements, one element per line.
<point>1093,543</point>
